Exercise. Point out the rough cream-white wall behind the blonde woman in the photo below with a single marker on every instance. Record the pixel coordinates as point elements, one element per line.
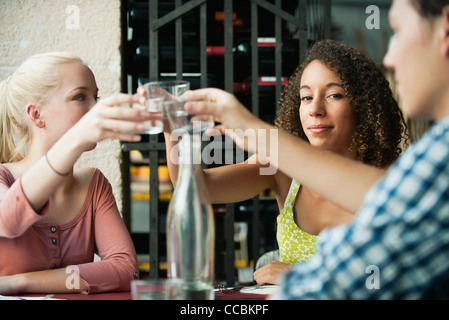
<point>91,29</point>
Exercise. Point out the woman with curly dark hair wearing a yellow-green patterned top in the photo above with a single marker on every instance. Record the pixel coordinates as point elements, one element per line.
<point>339,101</point>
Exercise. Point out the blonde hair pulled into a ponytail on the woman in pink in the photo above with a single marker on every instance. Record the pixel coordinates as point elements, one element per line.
<point>32,82</point>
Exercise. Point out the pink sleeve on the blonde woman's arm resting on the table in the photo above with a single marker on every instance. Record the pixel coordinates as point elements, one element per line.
<point>118,265</point>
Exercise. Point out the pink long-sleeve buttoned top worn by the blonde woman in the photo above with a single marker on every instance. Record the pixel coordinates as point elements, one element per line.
<point>28,244</point>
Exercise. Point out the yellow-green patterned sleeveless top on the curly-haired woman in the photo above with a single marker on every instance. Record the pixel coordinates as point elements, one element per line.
<point>294,244</point>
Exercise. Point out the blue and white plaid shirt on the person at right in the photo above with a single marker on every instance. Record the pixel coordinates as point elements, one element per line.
<point>398,243</point>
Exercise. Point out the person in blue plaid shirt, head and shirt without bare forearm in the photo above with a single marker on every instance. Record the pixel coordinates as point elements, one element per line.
<point>401,231</point>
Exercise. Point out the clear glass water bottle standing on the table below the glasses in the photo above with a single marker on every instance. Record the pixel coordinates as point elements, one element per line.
<point>190,224</point>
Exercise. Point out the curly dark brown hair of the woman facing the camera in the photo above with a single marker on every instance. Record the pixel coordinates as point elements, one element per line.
<point>379,123</point>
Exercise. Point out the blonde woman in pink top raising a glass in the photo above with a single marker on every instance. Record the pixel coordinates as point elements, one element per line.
<point>52,217</point>
